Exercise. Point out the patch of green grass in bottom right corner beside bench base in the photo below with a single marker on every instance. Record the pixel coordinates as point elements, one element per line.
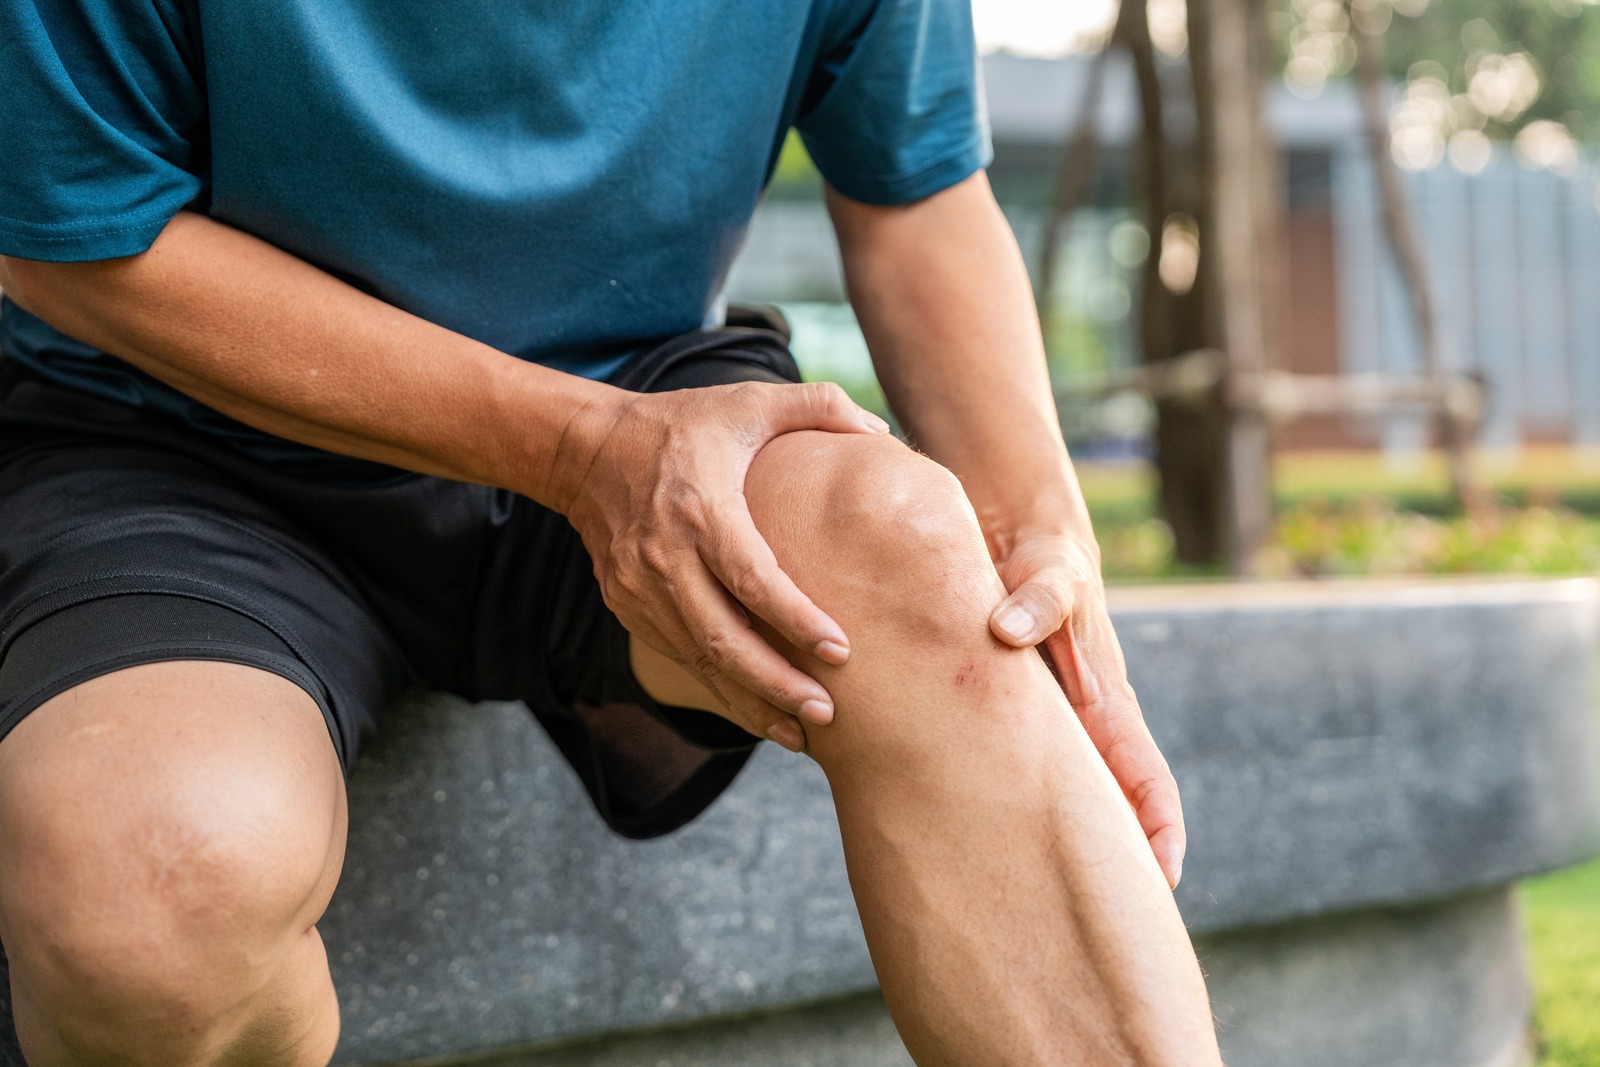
<point>1562,916</point>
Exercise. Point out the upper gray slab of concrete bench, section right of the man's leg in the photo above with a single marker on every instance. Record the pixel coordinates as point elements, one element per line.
<point>1374,743</point>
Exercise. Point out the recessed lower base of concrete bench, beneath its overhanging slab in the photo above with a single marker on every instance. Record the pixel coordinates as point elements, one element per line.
<point>1394,988</point>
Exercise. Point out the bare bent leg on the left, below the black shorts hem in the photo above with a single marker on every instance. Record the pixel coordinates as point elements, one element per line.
<point>172,836</point>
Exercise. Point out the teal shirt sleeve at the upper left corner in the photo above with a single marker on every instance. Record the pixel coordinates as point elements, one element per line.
<point>103,108</point>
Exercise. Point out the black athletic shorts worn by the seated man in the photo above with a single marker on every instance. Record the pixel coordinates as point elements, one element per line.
<point>130,538</point>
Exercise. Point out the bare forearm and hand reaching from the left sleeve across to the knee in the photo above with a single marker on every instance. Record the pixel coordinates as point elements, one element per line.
<point>655,484</point>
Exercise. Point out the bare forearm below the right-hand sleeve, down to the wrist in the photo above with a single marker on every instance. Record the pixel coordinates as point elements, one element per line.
<point>948,313</point>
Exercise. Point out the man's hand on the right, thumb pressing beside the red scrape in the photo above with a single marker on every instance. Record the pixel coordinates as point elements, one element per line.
<point>1058,601</point>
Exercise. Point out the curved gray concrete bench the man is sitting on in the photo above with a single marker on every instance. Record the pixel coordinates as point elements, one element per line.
<point>1366,769</point>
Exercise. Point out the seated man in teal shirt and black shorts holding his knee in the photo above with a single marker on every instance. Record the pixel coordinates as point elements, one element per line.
<point>362,343</point>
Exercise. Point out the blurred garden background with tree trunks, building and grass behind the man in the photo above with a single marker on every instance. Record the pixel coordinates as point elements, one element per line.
<point>1332,311</point>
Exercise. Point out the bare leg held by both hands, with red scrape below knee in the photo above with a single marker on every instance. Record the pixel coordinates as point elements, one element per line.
<point>1012,906</point>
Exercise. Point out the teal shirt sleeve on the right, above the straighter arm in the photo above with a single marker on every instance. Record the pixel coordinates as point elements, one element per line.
<point>900,111</point>
